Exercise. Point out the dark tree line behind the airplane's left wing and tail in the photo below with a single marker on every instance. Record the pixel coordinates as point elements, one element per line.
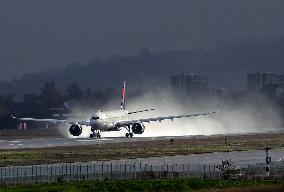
<point>51,100</point>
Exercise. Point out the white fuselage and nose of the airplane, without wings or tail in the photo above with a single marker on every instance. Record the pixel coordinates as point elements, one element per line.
<point>105,121</point>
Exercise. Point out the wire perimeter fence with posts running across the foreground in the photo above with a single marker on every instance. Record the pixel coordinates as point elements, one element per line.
<point>114,171</point>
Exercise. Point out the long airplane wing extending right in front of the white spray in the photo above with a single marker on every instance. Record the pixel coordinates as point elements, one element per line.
<point>148,120</point>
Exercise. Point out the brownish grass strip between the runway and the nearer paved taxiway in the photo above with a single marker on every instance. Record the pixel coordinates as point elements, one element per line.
<point>139,149</point>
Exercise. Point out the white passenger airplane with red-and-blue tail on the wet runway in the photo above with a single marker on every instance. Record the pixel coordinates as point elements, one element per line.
<point>102,121</point>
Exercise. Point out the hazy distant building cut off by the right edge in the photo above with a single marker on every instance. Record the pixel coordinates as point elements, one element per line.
<point>265,82</point>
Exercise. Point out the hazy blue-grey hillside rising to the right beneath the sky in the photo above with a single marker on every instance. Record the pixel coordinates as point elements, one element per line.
<point>226,65</point>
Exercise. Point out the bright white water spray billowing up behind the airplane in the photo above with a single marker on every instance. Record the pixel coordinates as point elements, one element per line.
<point>250,114</point>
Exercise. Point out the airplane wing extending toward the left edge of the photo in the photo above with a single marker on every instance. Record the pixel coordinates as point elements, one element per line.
<point>55,121</point>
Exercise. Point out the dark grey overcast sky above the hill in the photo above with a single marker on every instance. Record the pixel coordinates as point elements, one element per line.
<point>38,35</point>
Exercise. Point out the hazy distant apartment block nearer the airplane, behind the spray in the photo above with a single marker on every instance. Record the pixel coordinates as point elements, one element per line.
<point>189,84</point>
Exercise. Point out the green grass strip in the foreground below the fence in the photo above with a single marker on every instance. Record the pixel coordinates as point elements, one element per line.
<point>151,185</point>
